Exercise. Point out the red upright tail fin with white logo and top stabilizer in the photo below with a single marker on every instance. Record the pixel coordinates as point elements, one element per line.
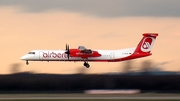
<point>146,44</point>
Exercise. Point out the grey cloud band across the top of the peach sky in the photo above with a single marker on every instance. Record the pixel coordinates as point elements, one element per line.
<point>102,8</point>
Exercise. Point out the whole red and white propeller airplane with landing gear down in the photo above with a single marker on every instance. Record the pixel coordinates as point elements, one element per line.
<point>85,55</point>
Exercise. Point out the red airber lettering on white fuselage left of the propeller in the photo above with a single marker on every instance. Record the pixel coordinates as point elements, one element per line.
<point>54,55</point>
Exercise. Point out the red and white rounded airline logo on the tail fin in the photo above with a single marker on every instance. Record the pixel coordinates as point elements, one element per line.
<point>147,44</point>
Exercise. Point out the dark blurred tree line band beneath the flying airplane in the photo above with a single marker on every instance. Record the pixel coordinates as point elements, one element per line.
<point>79,82</point>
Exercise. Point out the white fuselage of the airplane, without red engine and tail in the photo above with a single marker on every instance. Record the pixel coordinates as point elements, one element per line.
<point>59,55</point>
